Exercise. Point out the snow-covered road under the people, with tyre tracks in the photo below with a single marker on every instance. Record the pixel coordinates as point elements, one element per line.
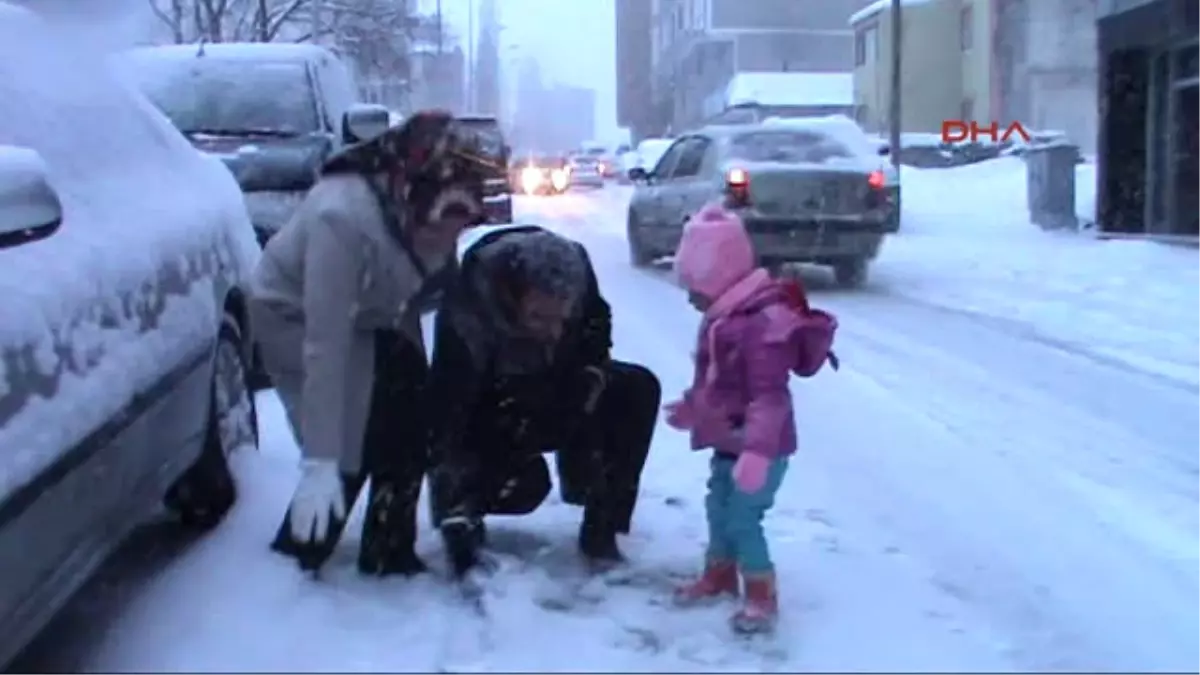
<point>969,497</point>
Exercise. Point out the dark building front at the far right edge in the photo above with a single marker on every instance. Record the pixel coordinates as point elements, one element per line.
<point>1149,156</point>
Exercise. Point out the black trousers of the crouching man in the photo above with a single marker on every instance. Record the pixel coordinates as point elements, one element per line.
<point>599,457</point>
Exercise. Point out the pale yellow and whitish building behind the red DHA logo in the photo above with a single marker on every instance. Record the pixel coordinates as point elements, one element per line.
<point>991,61</point>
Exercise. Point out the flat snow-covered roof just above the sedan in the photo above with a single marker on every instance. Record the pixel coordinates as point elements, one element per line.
<point>791,89</point>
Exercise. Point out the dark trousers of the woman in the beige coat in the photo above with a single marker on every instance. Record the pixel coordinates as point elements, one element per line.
<point>395,458</point>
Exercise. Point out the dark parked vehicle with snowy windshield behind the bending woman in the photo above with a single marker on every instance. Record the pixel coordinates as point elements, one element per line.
<point>273,114</point>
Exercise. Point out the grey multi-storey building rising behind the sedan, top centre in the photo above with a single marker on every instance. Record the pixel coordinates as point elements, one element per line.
<point>700,45</point>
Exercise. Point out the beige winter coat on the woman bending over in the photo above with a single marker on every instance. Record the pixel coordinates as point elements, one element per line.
<point>326,283</point>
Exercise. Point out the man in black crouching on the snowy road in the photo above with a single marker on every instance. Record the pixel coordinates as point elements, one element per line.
<point>521,367</point>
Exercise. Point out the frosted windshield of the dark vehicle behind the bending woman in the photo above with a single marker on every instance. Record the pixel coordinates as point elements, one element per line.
<point>235,98</point>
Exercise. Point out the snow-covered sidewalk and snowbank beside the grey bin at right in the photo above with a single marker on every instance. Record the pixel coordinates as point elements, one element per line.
<point>968,246</point>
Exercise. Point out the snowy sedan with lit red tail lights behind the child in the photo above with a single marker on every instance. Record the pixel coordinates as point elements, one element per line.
<point>806,195</point>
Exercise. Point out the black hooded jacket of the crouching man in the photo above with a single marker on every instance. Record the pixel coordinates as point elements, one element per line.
<point>496,397</point>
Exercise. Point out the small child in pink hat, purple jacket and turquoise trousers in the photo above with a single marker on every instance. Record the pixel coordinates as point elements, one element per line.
<point>757,331</point>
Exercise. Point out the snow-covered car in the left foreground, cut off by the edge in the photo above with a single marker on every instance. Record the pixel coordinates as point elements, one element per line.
<point>124,337</point>
